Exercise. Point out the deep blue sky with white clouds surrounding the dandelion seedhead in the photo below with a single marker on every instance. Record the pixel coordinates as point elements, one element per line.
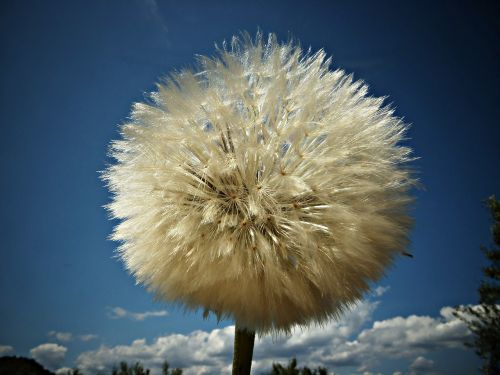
<point>69,74</point>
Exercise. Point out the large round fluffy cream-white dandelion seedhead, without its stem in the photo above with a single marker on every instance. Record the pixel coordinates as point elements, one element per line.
<point>264,187</point>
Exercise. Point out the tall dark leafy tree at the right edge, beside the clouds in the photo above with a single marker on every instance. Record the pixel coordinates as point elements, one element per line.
<point>484,320</point>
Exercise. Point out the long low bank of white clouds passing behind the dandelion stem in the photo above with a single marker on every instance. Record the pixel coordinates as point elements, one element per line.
<point>350,342</point>
